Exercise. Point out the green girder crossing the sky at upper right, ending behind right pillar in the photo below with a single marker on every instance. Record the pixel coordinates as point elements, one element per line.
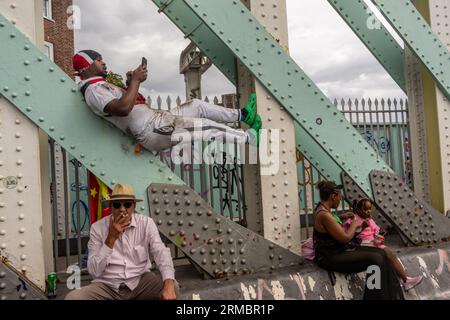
<point>378,40</point>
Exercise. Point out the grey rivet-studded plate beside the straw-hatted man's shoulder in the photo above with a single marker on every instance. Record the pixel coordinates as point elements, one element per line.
<point>218,246</point>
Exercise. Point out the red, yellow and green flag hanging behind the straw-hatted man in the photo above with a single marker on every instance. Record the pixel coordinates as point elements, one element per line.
<point>98,191</point>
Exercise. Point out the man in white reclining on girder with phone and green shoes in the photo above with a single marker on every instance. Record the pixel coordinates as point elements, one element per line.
<point>157,130</point>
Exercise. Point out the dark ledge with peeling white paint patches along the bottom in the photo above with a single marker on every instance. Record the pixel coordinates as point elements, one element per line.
<point>312,283</point>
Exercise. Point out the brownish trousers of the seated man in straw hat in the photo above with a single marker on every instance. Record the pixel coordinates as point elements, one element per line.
<point>149,288</point>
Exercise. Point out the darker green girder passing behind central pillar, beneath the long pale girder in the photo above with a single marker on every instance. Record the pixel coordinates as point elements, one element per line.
<point>186,19</point>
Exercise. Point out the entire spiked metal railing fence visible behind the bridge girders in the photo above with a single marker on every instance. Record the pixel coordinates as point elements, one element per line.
<point>383,123</point>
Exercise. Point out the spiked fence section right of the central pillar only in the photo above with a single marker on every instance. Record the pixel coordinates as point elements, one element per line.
<point>384,125</point>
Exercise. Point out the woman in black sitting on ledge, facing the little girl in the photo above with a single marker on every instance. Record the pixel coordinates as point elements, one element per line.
<point>334,250</point>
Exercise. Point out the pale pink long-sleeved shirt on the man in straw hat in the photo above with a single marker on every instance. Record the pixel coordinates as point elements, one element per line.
<point>129,258</point>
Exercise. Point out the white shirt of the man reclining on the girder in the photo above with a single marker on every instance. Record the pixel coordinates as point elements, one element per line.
<point>99,94</point>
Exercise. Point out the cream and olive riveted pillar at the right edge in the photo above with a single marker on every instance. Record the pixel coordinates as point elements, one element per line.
<point>430,111</point>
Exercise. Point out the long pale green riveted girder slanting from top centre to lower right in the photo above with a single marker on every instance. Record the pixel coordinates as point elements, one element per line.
<point>302,99</point>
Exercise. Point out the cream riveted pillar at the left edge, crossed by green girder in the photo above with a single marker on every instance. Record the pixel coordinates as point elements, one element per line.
<point>25,214</point>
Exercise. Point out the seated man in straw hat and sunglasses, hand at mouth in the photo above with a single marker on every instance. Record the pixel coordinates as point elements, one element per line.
<point>119,249</point>
